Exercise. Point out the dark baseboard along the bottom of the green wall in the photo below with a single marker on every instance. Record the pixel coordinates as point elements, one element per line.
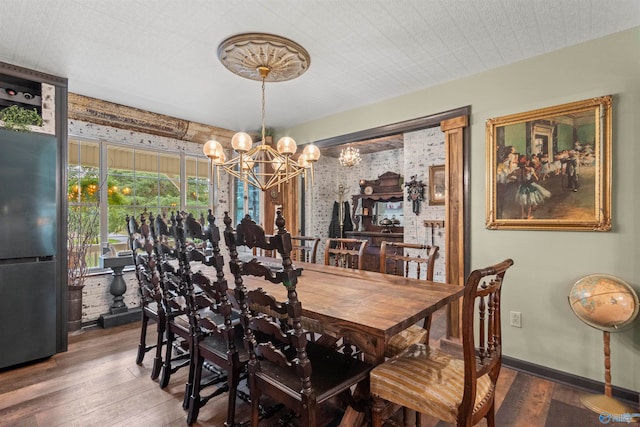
<point>629,396</point>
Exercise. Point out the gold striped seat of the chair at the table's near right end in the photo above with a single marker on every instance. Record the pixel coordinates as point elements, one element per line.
<point>427,380</point>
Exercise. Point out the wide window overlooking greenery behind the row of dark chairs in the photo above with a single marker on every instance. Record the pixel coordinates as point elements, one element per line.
<point>135,181</point>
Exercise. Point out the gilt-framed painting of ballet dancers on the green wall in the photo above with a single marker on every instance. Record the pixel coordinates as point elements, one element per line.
<point>550,169</point>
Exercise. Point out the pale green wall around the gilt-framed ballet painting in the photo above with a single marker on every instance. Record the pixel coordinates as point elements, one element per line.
<point>547,263</point>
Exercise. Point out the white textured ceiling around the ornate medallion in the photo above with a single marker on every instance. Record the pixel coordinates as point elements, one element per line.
<point>160,55</point>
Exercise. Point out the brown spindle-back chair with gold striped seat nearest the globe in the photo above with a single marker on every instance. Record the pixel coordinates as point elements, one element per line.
<point>457,390</point>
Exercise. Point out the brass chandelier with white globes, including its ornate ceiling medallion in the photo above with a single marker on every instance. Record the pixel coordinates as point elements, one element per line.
<point>266,58</point>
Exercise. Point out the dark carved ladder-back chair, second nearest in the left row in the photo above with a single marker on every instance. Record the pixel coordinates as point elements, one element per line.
<point>216,341</point>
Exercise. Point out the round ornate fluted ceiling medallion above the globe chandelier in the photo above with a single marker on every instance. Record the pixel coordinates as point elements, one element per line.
<point>243,54</point>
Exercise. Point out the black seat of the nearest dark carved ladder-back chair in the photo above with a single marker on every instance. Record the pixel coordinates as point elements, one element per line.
<point>331,371</point>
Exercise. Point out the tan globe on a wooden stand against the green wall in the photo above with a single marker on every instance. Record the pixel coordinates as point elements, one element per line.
<point>609,304</point>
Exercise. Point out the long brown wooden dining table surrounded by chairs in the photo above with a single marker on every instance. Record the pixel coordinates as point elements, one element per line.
<point>362,307</point>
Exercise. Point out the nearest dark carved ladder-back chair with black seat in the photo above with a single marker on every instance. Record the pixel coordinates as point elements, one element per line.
<point>285,366</point>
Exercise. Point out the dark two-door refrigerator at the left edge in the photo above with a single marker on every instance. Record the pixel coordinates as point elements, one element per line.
<point>28,242</point>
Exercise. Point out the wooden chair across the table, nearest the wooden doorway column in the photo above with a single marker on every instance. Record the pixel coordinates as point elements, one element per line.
<point>408,260</point>
